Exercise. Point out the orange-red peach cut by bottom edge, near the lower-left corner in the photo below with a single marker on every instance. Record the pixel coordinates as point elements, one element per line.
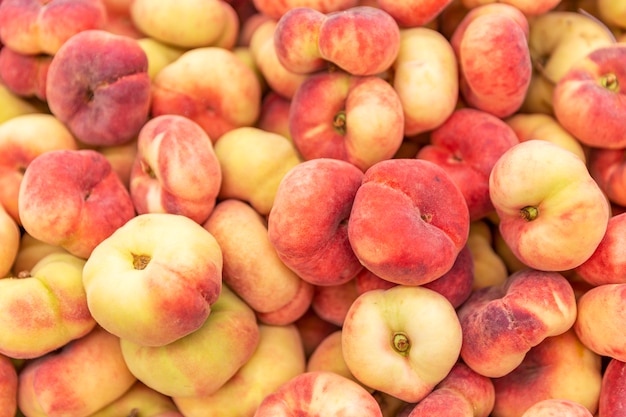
<point>78,379</point>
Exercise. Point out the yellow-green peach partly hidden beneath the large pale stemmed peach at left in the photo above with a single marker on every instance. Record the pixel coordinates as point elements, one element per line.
<point>200,363</point>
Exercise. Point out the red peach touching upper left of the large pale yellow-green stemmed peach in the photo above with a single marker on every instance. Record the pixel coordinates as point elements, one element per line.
<point>73,198</point>
